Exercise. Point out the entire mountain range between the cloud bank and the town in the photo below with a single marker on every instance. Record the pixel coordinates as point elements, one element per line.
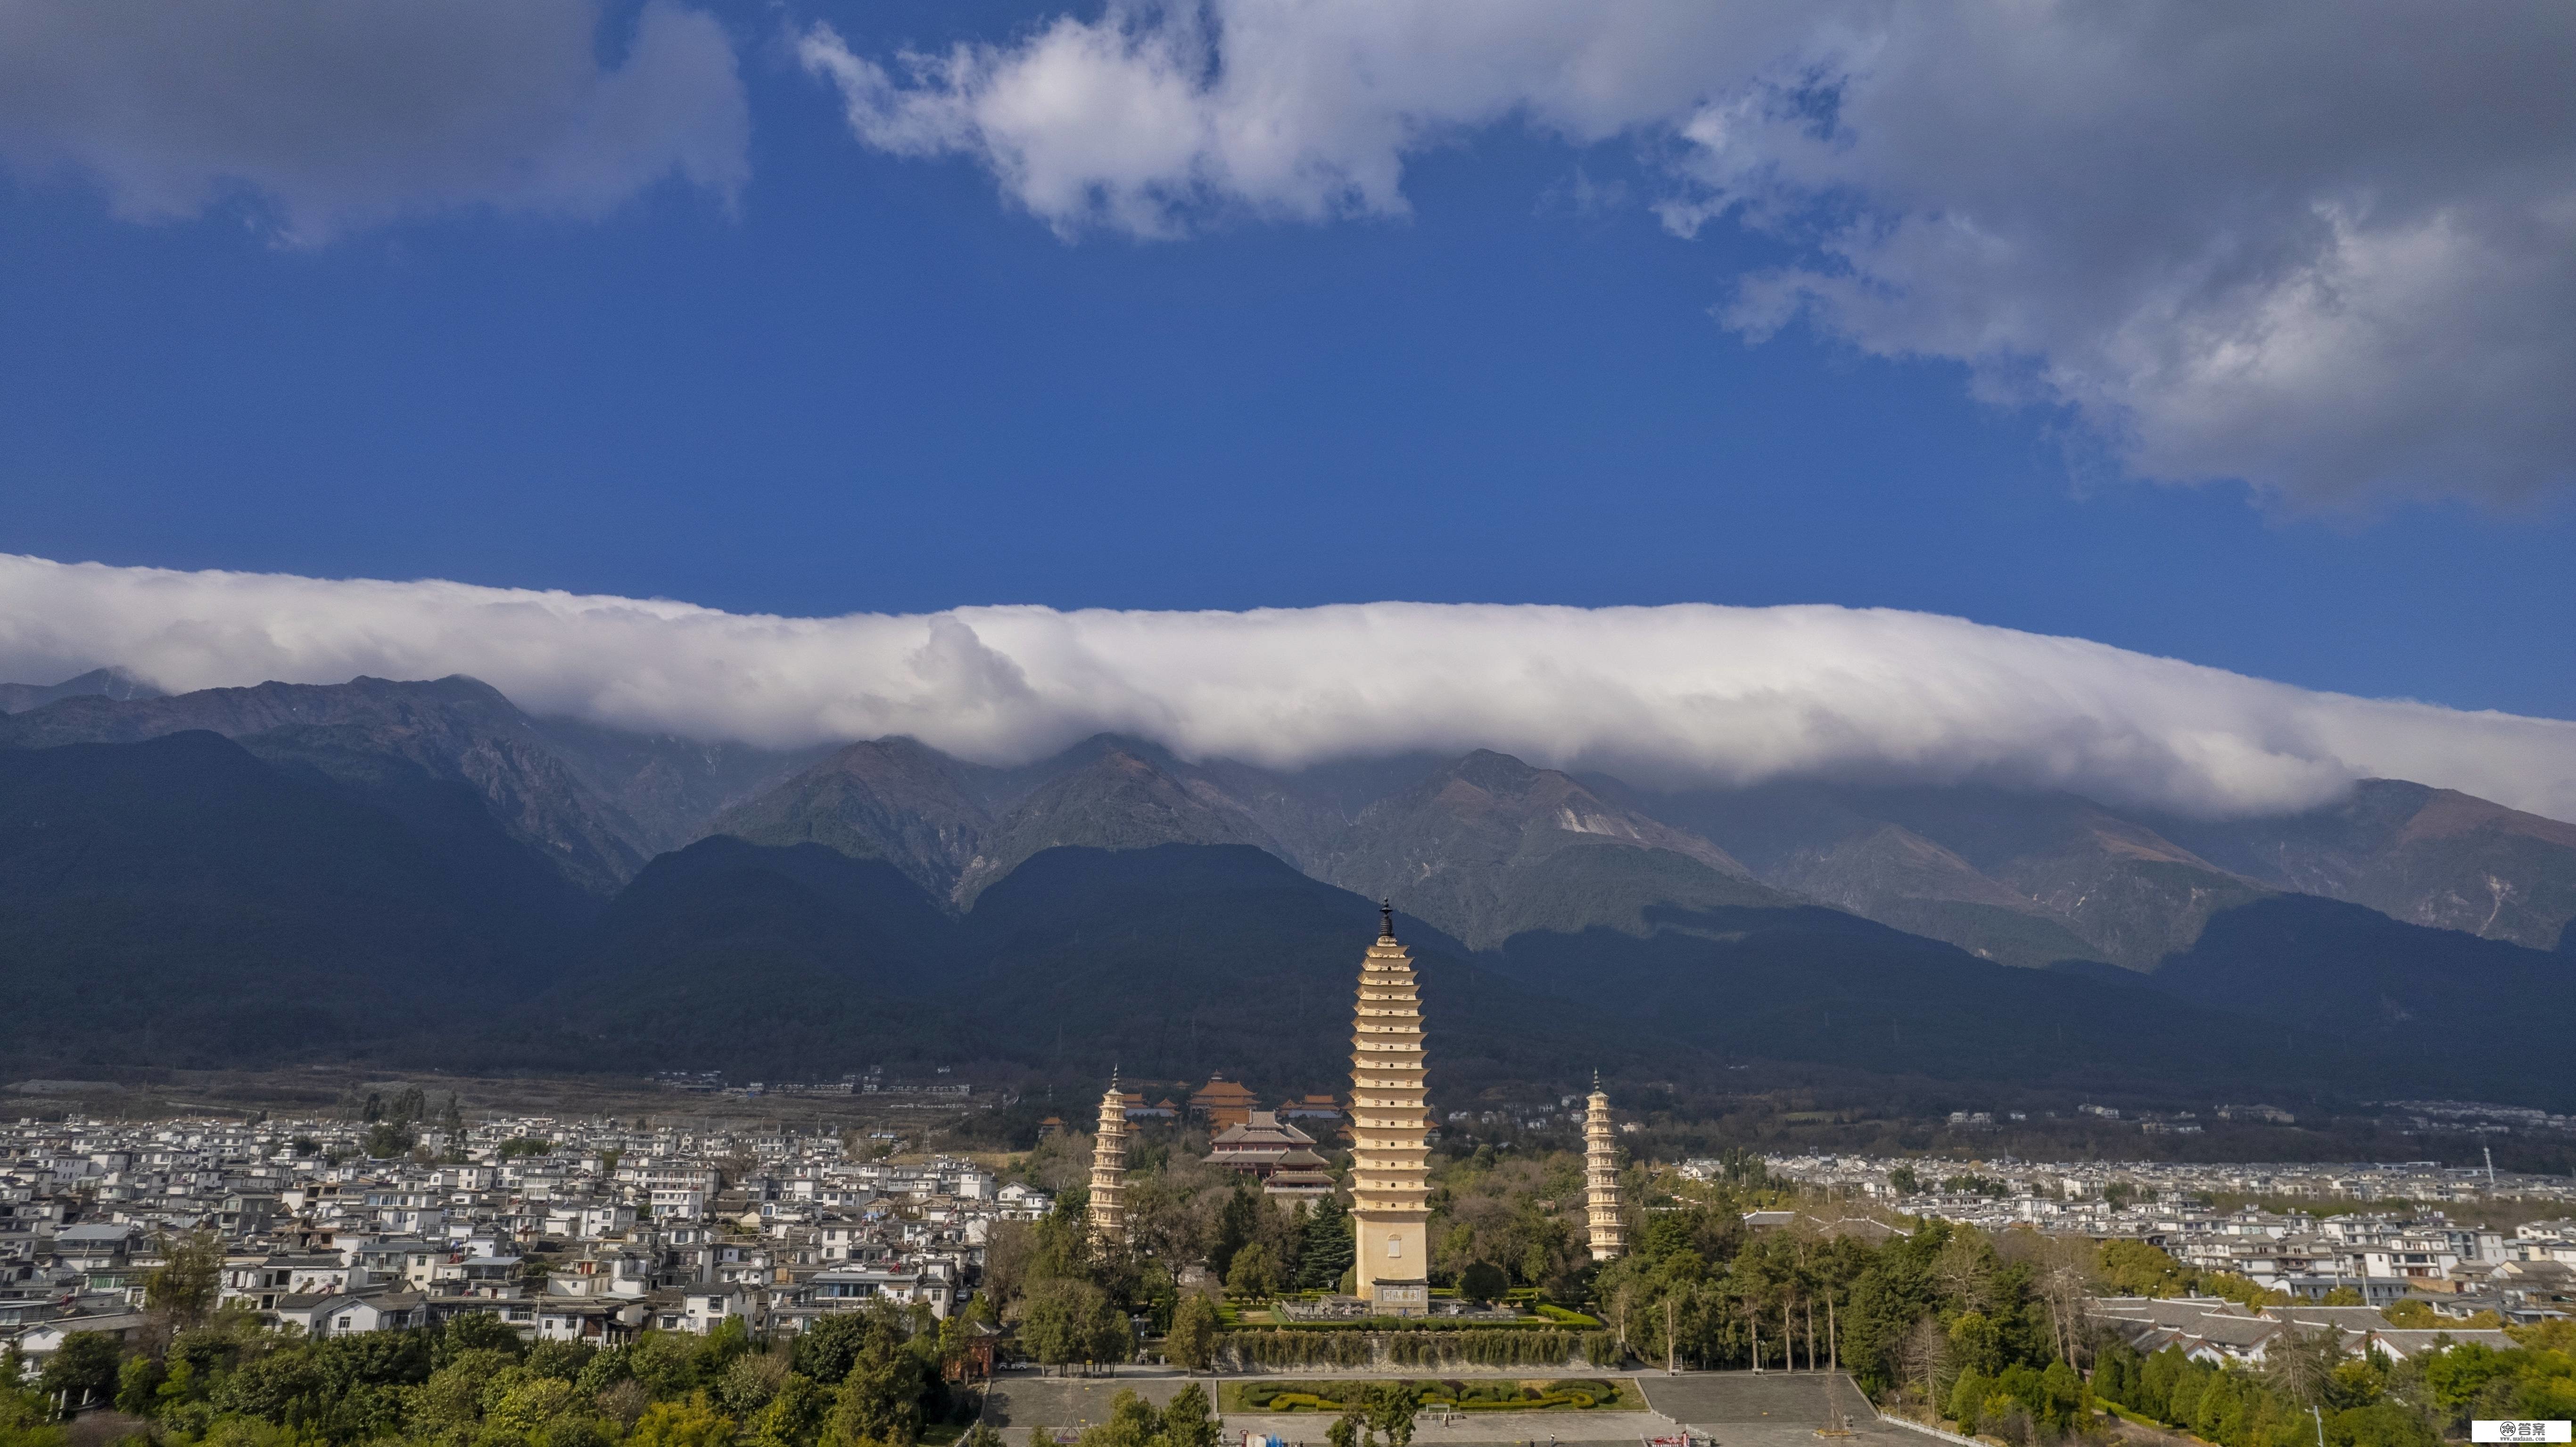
<point>305,869</point>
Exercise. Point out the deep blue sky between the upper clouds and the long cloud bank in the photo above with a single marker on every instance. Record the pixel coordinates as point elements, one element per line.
<point>882,382</point>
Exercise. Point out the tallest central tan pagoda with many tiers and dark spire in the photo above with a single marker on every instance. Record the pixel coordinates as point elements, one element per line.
<point>1390,1129</point>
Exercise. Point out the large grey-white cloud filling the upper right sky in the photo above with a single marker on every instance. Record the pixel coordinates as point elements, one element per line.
<point>2322,248</point>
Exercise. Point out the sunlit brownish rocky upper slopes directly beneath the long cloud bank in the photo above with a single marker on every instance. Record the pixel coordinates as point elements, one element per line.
<point>1482,846</point>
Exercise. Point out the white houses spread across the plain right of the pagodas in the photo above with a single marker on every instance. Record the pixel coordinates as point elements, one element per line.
<point>2526,1273</point>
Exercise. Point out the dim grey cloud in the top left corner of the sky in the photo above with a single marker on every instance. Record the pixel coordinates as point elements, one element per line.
<point>339,115</point>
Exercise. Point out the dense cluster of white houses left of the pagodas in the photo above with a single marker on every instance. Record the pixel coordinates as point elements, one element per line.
<point>563,1229</point>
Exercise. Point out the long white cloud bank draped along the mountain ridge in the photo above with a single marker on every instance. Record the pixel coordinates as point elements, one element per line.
<point>1658,694</point>
